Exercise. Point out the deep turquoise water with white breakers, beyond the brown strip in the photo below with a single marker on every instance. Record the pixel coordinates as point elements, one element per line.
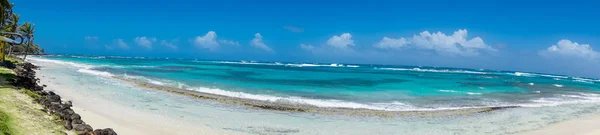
<point>381,87</point>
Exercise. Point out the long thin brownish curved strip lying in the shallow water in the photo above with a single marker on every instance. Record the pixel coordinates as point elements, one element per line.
<point>306,108</point>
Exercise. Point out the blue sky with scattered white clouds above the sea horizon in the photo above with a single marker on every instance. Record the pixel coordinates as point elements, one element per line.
<point>557,37</point>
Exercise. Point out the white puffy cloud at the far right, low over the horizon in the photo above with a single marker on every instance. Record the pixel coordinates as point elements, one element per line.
<point>567,48</point>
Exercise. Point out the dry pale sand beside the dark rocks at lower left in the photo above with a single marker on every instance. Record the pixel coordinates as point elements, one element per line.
<point>123,120</point>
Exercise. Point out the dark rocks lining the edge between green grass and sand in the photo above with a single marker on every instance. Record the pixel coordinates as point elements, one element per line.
<point>53,104</point>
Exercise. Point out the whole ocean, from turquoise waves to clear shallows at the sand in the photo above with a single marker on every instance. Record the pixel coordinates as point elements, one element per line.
<point>541,99</point>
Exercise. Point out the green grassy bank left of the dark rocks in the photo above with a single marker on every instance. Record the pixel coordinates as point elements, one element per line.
<point>20,114</point>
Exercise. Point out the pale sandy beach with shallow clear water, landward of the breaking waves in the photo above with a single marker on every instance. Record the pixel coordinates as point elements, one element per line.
<point>144,108</point>
